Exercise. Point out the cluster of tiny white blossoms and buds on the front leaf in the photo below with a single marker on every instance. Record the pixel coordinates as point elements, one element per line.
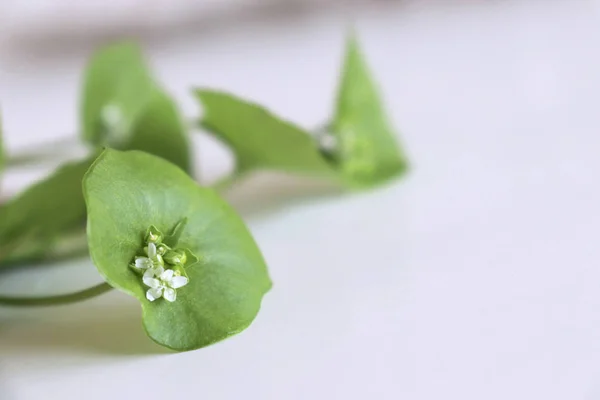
<point>161,268</point>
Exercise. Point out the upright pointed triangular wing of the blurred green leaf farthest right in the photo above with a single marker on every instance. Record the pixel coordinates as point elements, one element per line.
<point>367,153</point>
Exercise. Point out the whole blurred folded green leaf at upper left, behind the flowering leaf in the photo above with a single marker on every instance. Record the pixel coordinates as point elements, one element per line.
<point>124,108</point>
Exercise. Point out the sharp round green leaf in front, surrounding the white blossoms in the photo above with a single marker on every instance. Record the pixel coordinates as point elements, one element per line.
<point>126,193</point>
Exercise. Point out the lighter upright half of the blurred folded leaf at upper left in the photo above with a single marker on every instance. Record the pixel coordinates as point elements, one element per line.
<point>117,87</point>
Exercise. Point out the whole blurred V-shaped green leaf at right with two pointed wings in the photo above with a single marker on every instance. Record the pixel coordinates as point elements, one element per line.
<point>358,146</point>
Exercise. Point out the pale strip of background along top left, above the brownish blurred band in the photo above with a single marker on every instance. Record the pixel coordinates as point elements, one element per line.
<point>38,18</point>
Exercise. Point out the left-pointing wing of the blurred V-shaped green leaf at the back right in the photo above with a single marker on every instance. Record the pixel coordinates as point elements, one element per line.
<point>259,139</point>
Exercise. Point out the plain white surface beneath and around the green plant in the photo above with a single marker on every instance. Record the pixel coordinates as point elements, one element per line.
<point>475,278</point>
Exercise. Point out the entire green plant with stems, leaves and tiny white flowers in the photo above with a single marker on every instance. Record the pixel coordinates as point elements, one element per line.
<point>151,230</point>
